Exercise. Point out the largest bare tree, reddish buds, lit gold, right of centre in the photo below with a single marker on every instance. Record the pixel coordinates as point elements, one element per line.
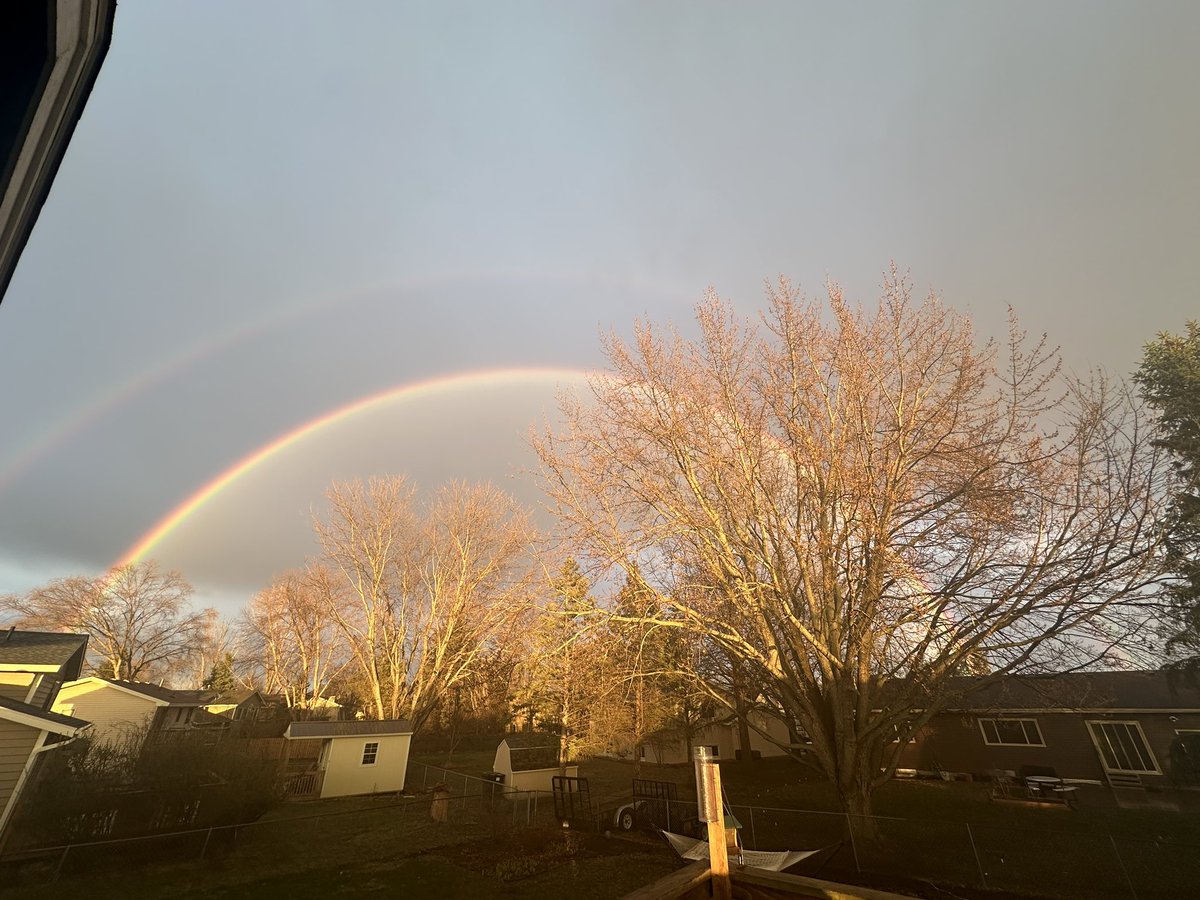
<point>859,506</point>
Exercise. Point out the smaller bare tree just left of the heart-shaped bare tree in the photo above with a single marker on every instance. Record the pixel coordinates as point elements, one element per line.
<point>292,639</point>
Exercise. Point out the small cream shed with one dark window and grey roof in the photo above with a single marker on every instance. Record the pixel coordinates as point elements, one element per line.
<point>356,758</point>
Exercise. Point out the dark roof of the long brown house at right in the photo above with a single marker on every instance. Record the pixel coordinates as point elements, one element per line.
<point>1077,692</point>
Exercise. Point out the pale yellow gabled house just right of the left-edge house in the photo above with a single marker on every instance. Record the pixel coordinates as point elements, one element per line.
<point>119,709</point>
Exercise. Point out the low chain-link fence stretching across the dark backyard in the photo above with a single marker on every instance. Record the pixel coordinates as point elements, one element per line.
<point>995,859</point>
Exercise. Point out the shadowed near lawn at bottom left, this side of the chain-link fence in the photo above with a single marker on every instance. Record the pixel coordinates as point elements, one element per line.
<point>363,848</point>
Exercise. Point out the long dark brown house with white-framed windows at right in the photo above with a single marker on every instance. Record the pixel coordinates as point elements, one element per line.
<point>1126,729</point>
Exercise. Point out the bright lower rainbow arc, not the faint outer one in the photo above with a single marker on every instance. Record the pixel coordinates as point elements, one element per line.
<point>147,543</point>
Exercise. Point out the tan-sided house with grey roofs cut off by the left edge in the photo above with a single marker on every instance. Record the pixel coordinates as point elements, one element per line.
<point>33,665</point>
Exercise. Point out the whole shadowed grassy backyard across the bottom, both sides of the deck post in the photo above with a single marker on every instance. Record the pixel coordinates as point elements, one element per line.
<point>951,833</point>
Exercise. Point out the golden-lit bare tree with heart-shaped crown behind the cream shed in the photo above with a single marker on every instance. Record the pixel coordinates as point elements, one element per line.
<point>429,587</point>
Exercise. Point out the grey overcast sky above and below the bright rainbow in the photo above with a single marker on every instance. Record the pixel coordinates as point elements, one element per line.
<point>272,211</point>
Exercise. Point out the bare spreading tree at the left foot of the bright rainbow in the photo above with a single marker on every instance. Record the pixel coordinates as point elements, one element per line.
<point>139,620</point>
